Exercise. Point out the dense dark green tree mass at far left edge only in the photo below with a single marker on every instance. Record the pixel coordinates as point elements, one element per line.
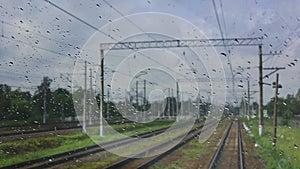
<point>17,105</point>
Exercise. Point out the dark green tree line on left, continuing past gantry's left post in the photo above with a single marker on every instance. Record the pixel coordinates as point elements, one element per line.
<point>46,106</point>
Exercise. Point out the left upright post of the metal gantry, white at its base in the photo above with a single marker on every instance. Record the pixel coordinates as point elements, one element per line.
<point>101,91</point>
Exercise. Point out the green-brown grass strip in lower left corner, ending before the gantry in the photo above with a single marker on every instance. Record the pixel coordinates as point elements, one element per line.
<point>20,151</point>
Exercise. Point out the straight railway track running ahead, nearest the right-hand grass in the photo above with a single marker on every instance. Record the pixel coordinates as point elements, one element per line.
<point>229,154</point>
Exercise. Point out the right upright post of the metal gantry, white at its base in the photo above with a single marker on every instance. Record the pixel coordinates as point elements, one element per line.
<point>260,82</point>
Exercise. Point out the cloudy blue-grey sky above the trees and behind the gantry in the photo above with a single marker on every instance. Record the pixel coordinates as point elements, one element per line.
<point>39,38</point>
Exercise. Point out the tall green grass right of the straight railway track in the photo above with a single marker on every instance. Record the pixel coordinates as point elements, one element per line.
<point>285,154</point>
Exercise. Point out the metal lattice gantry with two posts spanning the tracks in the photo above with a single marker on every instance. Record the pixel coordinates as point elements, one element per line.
<point>177,43</point>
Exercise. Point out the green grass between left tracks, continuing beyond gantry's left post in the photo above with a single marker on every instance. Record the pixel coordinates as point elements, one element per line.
<point>20,151</point>
